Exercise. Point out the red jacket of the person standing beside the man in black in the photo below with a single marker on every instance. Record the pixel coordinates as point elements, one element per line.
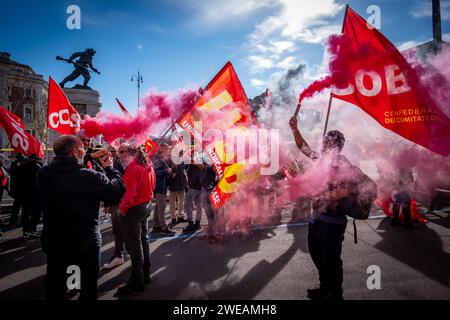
<point>139,183</point>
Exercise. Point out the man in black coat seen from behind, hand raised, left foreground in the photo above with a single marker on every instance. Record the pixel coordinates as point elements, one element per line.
<point>71,196</point>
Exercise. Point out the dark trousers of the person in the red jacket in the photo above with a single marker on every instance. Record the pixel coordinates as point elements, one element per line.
<point>135,234</point>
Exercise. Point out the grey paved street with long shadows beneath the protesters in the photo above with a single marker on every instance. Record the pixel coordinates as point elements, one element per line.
<point>272,263</point>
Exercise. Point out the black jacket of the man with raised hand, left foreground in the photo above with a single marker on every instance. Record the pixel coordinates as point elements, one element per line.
<point>71,196</point>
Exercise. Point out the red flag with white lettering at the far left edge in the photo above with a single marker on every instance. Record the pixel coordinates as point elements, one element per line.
<point>20,139</point>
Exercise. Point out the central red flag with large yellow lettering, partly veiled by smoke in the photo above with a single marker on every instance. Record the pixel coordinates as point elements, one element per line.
<point>223,106</point>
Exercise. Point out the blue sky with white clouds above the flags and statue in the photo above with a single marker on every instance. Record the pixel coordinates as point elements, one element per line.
<point>178,44</point>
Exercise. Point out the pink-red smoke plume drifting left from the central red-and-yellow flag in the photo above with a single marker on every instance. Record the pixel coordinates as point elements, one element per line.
<point>158,107</point>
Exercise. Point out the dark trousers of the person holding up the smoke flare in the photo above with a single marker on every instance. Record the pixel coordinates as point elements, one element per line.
<point>325,247</point>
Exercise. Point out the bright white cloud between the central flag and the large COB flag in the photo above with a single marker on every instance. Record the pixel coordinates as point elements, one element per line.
<point>276,42</point>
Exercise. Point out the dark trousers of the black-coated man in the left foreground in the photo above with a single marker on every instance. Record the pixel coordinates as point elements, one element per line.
<point>56,278</point>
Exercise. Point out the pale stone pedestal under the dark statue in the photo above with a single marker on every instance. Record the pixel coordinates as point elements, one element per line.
<point>87,102</point>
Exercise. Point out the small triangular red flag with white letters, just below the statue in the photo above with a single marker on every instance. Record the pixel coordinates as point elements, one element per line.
<point>62,116</point>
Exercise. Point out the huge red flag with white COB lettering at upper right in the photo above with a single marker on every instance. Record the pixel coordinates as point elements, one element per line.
<point>383,84</point>
